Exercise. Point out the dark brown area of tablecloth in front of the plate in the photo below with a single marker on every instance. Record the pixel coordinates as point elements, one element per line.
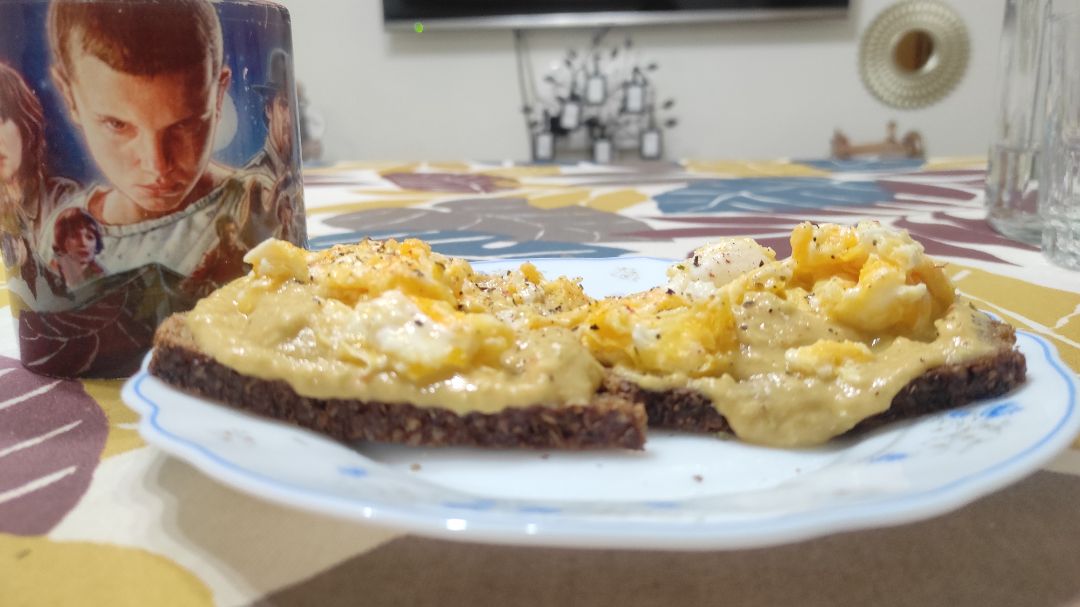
<point>1020,547</point>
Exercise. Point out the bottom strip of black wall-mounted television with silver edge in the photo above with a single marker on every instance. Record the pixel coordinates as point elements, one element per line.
<point>552,14</point>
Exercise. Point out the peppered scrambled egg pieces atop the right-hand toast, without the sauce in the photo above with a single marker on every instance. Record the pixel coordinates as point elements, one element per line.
<point>841,284</point>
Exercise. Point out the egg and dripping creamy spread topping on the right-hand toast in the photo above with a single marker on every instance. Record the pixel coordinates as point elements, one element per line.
<point>793,353</point>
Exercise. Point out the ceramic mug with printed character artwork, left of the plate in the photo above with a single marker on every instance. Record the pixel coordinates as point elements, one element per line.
<point>145,147</point>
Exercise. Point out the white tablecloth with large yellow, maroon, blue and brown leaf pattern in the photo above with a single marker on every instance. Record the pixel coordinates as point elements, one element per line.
<point>92,516</point>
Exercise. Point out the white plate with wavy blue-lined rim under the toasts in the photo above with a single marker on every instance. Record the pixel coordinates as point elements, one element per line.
<point>683,493</point>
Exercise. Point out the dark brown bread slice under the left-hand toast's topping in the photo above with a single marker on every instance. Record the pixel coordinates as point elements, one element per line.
<point>610,421</point>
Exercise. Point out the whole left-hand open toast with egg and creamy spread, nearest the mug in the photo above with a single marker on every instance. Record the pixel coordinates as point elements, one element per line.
<point>393,343</point>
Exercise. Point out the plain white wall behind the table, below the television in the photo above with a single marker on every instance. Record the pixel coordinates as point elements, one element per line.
<point>744,90</point>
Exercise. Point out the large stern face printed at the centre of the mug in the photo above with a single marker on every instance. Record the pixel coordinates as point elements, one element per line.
<point>152,137</point>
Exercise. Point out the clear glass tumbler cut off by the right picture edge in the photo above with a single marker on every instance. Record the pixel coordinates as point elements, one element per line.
<point>1060,195</point>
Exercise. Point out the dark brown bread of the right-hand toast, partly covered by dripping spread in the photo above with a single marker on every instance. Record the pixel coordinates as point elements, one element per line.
<point>938,389</point>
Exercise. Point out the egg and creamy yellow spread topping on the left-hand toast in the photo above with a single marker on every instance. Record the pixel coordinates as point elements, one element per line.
<point>397,323</point>
